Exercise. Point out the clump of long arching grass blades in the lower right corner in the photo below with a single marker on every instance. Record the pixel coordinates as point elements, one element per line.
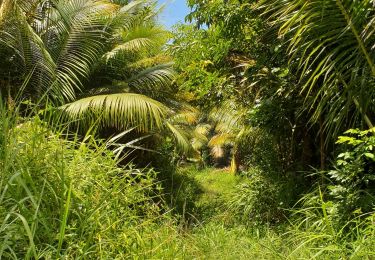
<point>316,233</point>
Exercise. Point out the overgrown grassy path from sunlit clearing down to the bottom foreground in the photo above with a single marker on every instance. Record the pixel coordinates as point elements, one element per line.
<point>202,198</point>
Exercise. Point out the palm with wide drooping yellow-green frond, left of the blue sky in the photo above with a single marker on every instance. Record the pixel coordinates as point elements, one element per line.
<point>130,87</point>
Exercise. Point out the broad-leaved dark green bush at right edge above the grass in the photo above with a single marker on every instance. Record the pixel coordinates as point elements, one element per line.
<point>353,179</point>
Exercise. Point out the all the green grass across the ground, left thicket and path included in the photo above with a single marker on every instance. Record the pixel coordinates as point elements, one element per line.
<point>61,198</point>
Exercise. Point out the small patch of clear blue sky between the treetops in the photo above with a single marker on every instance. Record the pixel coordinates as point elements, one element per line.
<point>174,11</point>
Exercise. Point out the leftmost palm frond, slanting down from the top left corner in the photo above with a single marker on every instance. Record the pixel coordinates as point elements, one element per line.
<point>29,50</point>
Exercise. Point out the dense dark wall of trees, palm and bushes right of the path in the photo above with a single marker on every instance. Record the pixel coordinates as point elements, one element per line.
<point>296,75</point>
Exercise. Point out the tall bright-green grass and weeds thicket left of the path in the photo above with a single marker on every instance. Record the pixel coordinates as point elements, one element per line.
<point>60,197</point>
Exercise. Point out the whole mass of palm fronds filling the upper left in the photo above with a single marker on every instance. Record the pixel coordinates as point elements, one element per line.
<point>99,60</point>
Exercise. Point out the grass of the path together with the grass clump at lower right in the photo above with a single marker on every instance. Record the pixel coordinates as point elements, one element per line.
<point>217,234</point>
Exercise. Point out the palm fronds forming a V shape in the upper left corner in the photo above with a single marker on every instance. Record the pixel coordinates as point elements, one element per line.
<point>55,42</point>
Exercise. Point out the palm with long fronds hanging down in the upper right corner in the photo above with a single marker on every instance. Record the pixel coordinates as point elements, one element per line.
<point>331,46</point>
